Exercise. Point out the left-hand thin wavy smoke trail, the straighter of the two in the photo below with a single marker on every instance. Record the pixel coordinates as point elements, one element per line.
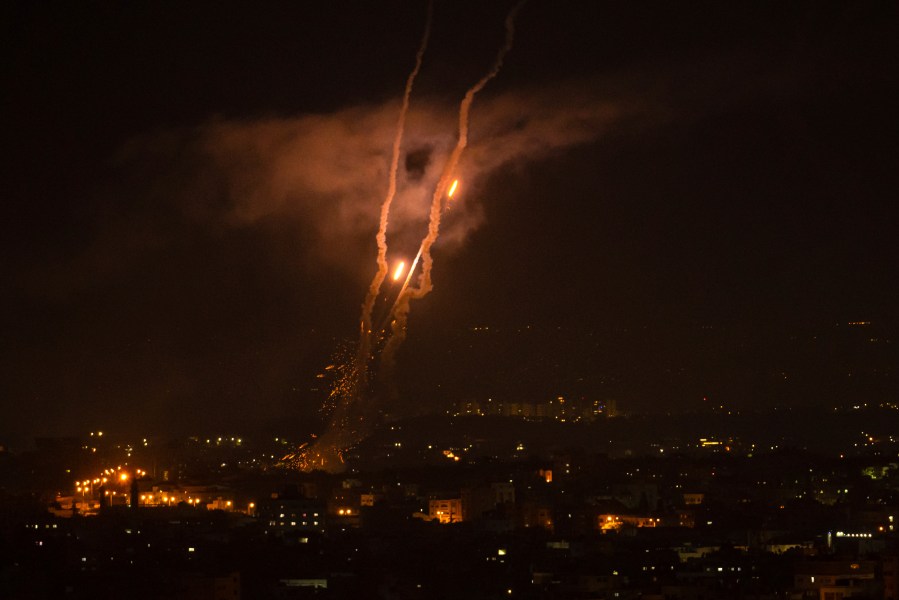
<point>381,238</point>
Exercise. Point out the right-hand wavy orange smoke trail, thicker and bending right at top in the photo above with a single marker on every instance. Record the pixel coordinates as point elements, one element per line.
<point>402,304</point>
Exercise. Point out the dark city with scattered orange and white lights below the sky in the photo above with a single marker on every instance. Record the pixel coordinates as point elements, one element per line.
<point>468,506</point>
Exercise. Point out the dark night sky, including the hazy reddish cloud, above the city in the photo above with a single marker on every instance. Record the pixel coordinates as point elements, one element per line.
<point>192,189</point>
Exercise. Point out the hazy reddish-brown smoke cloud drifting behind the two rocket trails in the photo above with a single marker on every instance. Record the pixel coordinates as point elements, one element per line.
<point>328,172</point>
